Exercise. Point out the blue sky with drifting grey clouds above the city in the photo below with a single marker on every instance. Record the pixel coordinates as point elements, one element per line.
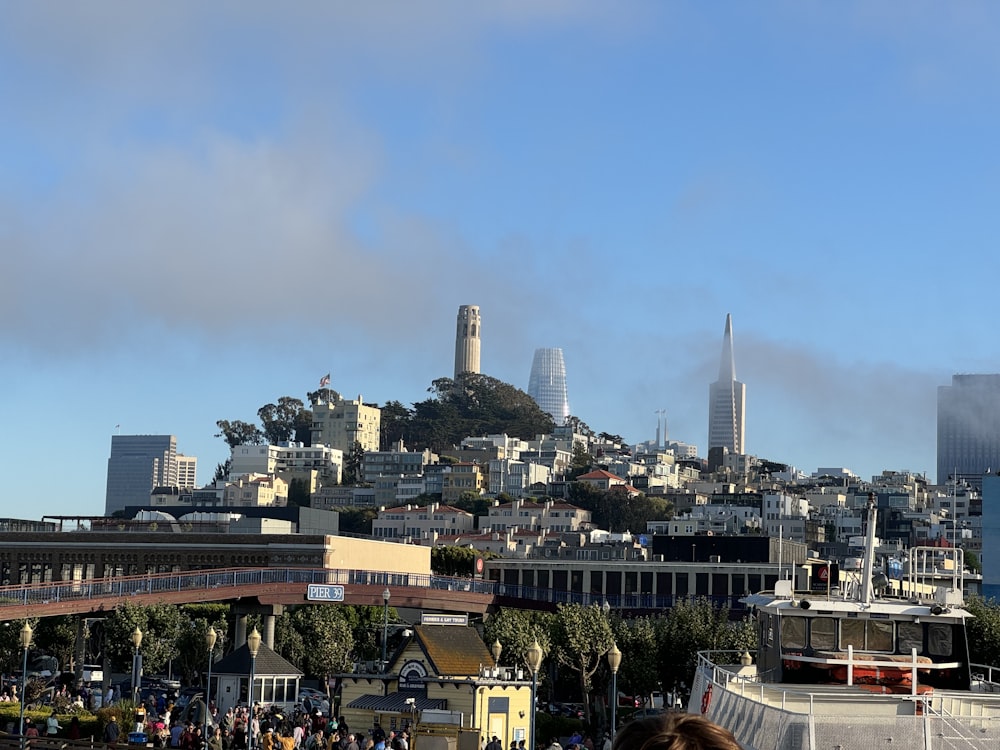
<point>207,206</point>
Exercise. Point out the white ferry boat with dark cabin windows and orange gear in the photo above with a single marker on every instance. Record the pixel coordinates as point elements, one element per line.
<point>853,670</point>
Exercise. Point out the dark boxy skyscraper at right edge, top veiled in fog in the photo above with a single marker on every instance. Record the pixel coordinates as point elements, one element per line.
<point>968,428</point>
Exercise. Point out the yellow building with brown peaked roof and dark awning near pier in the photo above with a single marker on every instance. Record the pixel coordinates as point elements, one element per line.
<point>442,674</point>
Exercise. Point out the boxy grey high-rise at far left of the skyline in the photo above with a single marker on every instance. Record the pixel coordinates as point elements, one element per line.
<point>138,463</point>
